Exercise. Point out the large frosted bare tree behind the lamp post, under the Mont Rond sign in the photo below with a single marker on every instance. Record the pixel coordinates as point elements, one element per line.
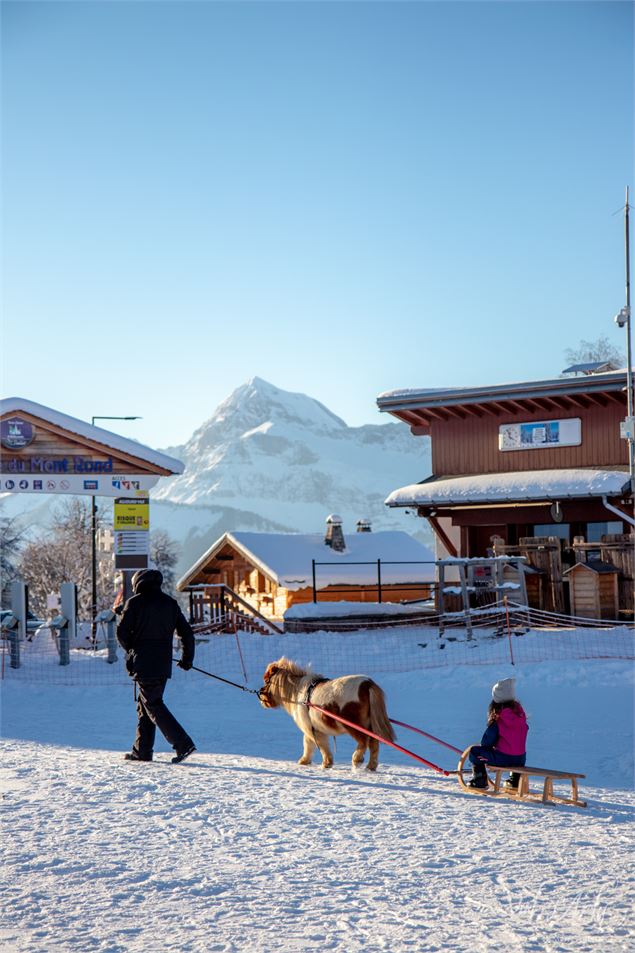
<point>63,553</point>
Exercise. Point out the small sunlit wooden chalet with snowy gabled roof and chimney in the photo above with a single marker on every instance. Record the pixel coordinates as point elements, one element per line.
<point>272,571</point>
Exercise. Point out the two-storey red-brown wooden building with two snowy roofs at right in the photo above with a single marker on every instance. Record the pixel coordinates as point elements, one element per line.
<point>526,468</point>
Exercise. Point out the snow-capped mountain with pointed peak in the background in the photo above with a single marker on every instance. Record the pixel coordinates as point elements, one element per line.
<point>271,460</point>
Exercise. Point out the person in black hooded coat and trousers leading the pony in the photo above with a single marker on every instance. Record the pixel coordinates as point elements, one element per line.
<point>145,632</point>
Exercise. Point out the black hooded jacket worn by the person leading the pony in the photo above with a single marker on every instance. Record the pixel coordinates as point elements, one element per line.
<point>146,629</point>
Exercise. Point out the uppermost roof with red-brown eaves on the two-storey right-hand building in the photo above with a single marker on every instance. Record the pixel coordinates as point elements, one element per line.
<point>420,408</point>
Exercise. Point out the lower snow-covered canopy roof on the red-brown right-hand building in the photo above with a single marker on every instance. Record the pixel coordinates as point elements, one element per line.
<point>511,487</point>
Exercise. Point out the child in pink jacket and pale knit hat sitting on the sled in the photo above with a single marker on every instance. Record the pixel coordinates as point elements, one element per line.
<point>503,742</point>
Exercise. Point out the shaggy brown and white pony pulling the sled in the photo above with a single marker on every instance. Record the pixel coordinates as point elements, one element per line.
<point>355,697</point>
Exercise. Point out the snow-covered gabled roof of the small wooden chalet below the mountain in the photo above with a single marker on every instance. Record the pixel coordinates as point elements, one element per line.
<point>287,558</point>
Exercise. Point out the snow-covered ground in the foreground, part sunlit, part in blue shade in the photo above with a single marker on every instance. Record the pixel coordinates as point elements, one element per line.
<point>241,849</point>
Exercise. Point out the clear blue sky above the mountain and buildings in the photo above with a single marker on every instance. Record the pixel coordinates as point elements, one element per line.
<point>342,198</point>
